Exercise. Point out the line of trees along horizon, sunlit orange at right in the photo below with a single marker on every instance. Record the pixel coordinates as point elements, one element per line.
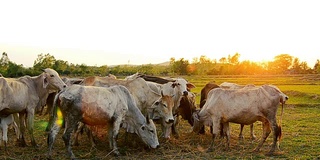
<point>281,64</point>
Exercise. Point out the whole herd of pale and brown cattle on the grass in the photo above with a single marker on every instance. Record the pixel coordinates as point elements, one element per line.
<point>134,103</point>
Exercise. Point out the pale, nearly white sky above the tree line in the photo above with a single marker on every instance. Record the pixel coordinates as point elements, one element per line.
<point>143,32</point>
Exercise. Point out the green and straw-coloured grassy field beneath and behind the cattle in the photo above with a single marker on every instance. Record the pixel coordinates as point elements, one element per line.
<point>301,131</point>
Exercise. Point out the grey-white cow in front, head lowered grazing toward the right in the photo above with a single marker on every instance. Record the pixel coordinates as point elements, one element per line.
<point>110,107</point>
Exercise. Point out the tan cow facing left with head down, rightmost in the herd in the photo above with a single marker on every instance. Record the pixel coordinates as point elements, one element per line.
<point>242,106</point>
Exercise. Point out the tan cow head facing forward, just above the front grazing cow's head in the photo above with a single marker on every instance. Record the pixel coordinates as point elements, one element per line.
<point>163,107</point>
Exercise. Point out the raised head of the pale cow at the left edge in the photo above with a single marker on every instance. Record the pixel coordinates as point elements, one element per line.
<point>52,80</point>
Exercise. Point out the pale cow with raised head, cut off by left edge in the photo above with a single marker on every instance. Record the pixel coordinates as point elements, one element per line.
<point>23,95</point>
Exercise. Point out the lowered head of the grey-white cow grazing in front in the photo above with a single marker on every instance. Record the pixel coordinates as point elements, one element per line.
<point>148,133</point>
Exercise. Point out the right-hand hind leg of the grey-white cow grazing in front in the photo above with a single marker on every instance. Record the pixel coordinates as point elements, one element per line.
<point>70,124</point>
